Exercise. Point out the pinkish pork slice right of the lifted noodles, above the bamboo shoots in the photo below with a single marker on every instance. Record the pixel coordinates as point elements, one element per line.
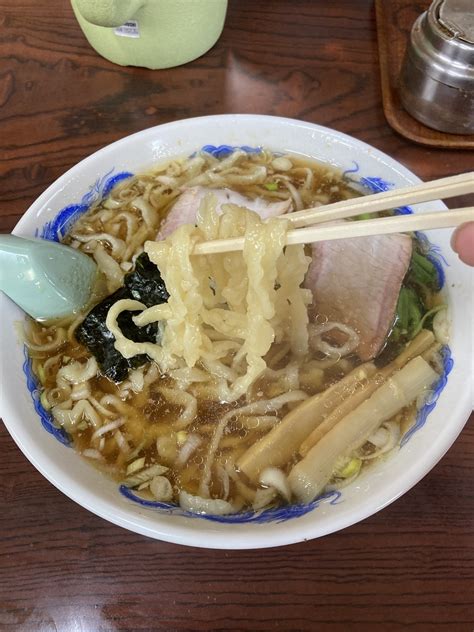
<point>357,282</point>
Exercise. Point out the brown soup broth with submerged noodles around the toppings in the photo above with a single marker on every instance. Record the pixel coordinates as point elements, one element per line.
<point>135,424</point>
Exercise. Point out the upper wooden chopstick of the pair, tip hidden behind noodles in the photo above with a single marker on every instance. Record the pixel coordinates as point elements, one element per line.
<point>443,188</point>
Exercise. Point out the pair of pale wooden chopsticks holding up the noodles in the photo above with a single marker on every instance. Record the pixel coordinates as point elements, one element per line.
<point>306,223</point>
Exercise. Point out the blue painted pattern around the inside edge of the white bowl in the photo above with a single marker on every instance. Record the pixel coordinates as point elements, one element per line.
<point>56,230</point>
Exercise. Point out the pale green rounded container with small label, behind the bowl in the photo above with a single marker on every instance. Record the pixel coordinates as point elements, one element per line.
<point>151,33</point>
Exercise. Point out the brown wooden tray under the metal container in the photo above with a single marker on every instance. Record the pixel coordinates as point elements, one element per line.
<point>394,21</point>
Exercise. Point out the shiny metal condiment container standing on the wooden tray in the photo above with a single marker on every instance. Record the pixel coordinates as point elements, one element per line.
<point>437,77</point>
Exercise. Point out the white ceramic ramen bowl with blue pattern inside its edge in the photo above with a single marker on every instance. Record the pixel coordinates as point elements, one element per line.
<point>372,491</point>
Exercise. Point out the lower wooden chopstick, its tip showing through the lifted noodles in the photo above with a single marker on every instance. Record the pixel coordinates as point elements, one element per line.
<point>364,228</point>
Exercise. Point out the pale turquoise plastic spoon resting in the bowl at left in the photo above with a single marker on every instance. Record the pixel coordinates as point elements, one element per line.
<point>46,279</point>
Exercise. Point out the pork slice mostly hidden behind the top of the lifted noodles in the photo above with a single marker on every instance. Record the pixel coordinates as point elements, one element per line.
<point>185,209</point>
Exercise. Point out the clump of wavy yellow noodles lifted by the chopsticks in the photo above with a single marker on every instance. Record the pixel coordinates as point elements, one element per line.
<point>225,310</point>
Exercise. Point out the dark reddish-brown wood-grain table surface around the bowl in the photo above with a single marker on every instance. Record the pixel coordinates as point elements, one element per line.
<point>410,567</point>
